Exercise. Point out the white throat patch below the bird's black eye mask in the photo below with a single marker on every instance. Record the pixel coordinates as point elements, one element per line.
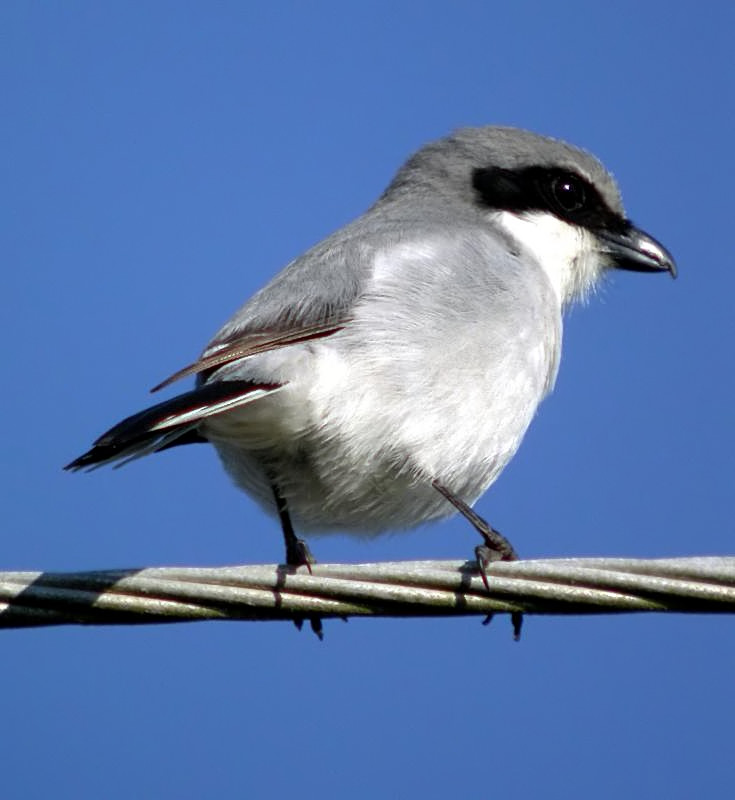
<point>565,252</point>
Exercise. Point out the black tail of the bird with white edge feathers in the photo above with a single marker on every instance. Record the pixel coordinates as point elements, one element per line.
<point>172,422</point>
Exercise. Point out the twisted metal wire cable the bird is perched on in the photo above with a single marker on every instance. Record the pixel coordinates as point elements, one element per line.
<point>390,589</point>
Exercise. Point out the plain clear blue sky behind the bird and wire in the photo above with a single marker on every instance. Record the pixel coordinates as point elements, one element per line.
<point>160,162</point>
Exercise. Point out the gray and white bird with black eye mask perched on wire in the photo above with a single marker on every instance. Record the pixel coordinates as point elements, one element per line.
<point>388,375</point>
